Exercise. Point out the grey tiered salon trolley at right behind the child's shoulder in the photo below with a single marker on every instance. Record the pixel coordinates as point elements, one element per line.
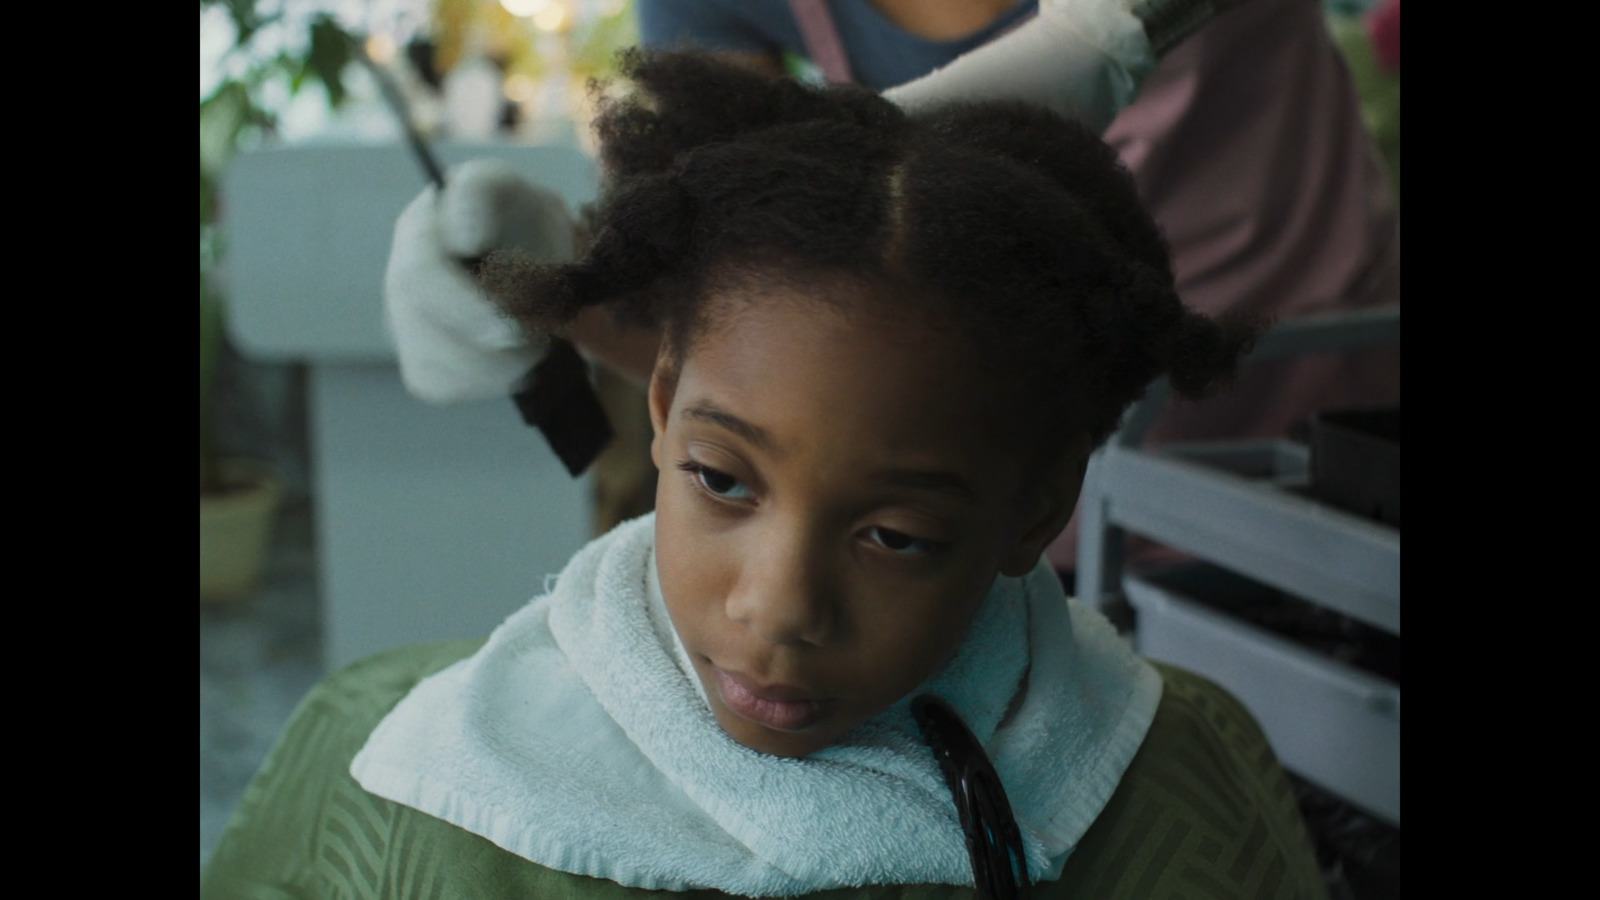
<point>1244,507</point>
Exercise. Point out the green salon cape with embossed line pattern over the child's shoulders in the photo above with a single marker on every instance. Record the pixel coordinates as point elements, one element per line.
<point>1204,813</point>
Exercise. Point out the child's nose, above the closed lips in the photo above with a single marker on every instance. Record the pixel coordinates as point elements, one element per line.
<point>783,598</point>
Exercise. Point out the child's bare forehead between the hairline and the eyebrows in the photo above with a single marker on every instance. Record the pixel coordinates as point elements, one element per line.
<point>857,385</point>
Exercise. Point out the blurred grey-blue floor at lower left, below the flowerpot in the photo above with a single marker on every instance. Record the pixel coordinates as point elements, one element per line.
<point>258,657</point>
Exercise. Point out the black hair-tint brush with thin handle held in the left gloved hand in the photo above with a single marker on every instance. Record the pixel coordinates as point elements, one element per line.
<point>556,396</point>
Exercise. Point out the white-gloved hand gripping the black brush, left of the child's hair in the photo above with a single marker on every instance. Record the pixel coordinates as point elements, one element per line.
<point>452,340</point>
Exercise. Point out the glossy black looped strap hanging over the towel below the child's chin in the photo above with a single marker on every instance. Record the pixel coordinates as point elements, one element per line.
<point>994,843</point>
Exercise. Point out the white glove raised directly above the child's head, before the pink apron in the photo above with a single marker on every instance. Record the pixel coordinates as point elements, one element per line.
<point>1082,58</point>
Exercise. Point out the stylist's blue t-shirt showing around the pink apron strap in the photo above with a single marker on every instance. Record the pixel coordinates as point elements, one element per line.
<point>882,55</point>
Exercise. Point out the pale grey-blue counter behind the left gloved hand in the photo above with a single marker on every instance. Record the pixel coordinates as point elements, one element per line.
<point>431,523</point>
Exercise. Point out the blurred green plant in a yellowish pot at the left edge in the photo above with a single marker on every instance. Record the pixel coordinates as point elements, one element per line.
<point>239,497</point>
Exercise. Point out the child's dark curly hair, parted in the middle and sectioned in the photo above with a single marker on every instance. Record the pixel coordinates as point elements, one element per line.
<point>1007,222</point>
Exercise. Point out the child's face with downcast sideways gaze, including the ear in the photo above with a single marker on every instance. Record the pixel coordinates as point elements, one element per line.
<point>834,504</point>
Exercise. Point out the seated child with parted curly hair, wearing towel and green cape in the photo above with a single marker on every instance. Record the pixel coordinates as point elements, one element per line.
<point>890,344</point>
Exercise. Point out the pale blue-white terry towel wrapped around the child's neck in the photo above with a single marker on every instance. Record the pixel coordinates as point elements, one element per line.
<point>577,739</point>
